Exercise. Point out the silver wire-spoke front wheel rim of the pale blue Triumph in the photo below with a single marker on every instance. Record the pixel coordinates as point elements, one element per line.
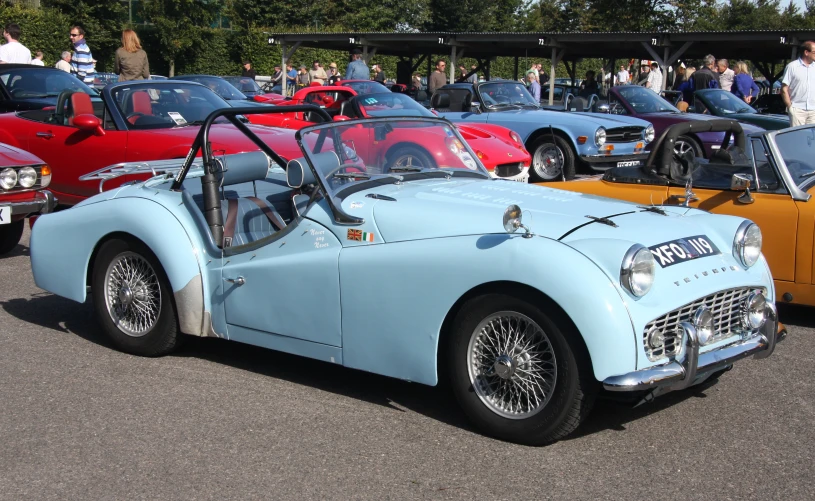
<point>512,365</point>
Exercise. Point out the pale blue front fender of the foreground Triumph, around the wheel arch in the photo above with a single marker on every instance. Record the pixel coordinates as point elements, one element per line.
<point>393,315</point>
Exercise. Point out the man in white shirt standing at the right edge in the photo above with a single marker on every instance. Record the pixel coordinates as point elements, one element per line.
<point>798,86</point>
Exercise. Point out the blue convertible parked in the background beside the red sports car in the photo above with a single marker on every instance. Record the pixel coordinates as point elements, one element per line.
<point>557,141</point>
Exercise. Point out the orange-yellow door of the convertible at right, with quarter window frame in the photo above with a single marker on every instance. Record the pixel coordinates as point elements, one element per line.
<point>773,210</point>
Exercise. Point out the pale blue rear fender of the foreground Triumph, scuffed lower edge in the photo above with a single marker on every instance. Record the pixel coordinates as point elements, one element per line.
<point>62,244</point>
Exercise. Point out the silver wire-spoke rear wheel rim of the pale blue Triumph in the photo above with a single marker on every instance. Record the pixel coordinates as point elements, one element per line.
<point>132,294</point>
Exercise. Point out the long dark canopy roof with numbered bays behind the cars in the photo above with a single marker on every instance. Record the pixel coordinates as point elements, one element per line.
<point>765,48</point>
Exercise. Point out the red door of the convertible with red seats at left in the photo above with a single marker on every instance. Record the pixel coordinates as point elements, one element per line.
<point>71,153</point>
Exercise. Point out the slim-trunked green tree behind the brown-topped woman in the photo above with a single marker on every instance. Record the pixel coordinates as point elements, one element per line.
<point>179,25</point>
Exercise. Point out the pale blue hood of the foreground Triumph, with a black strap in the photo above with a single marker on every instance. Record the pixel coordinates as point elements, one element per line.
<point>444,208</point>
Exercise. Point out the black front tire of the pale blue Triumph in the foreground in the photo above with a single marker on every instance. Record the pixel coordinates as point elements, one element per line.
<point>568,404</point>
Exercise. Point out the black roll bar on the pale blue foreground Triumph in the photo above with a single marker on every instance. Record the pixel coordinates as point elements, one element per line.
<point>209,181</point>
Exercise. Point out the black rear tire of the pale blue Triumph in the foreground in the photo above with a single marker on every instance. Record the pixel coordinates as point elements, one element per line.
<point>160,336</point>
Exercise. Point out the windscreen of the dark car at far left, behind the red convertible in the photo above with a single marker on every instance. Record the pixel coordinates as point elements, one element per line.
<point>34,83</point>
